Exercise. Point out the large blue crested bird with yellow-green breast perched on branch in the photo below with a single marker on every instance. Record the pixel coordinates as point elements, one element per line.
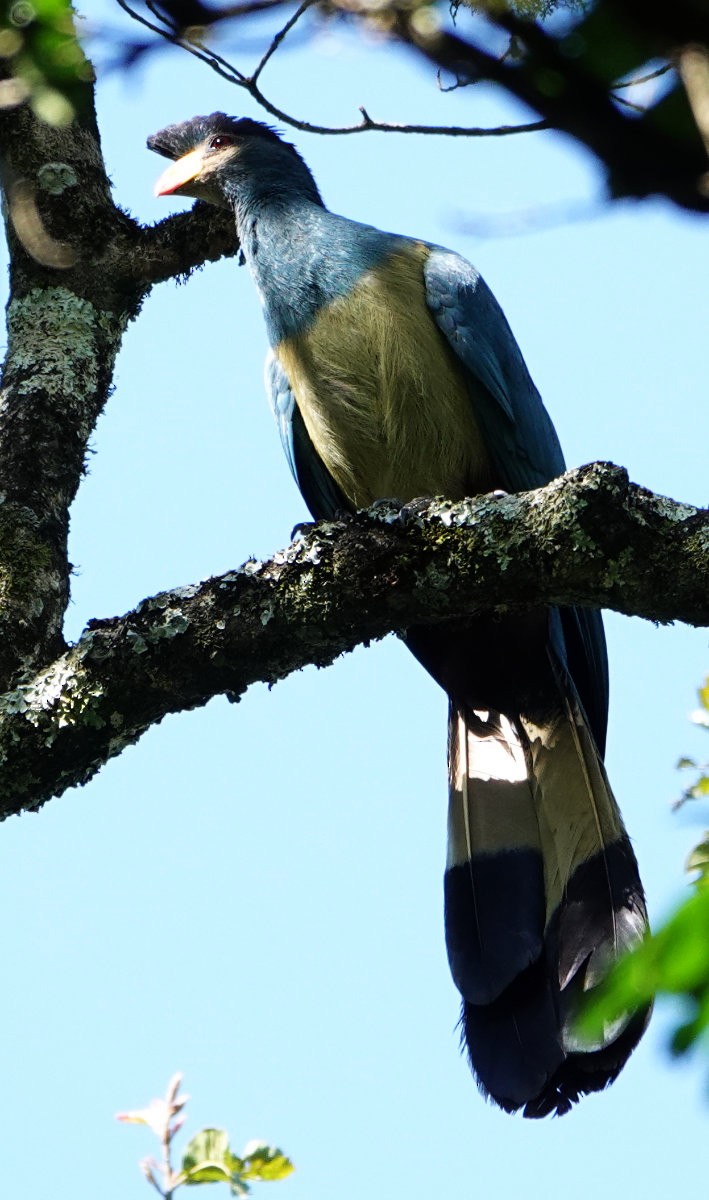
<point>394,373</point>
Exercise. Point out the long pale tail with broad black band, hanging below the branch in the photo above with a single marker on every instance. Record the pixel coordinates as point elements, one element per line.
<point>542,895</point>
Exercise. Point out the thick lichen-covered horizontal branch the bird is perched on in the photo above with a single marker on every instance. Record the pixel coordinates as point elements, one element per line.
<point>588,538</point>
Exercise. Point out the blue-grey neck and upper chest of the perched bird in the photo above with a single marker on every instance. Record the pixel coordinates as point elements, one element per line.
<point>301,256</point>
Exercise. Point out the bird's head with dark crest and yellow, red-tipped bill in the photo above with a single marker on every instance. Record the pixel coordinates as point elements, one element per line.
<point>214,157</point>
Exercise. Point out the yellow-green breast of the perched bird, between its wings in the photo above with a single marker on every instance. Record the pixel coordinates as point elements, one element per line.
<point>383,397</point>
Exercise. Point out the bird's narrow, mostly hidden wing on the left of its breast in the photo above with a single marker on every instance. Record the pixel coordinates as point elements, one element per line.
<point>317,487</point>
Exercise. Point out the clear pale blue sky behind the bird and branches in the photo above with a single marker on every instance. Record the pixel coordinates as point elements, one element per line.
<point>254,893</point>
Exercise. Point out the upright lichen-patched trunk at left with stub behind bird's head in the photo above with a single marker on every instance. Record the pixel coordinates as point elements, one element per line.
<point>81,269</point>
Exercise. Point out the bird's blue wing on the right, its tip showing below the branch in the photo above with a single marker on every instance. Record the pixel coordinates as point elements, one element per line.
<point>520,439</point>
